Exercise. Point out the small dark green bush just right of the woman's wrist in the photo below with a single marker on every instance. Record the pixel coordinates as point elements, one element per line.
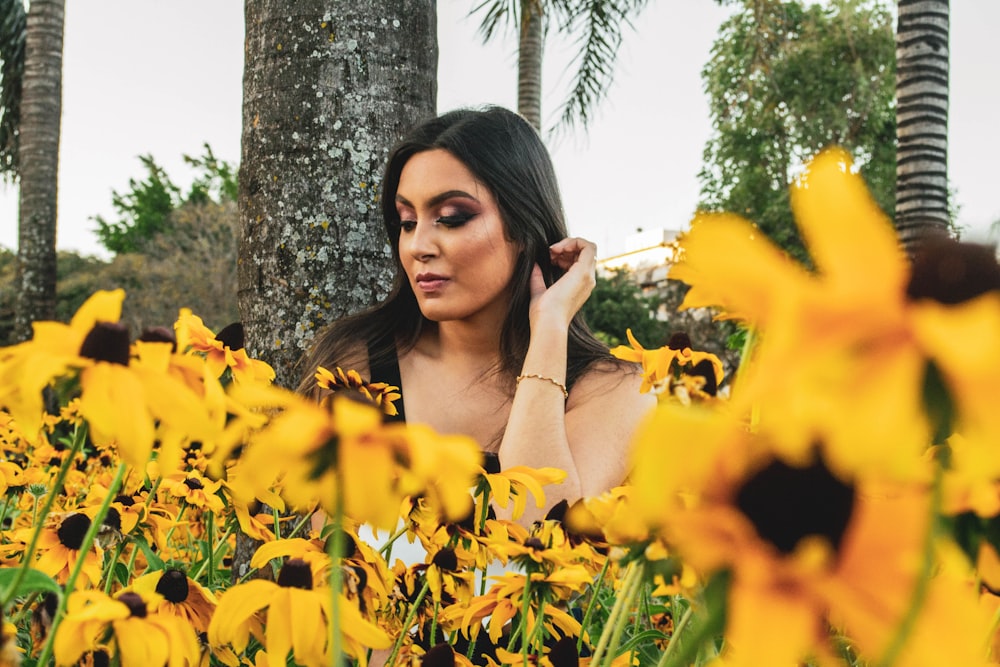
<point>617,304</point>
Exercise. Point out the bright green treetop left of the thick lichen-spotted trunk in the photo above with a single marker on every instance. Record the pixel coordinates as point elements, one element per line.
<point>144,210</point>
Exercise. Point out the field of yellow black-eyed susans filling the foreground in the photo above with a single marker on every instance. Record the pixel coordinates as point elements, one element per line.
<point>835,503</point>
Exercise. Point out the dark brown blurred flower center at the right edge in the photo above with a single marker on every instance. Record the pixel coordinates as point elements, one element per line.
<point>951,272</point>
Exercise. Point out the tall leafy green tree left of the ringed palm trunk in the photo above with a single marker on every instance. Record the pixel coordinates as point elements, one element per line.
<point>786,80</point>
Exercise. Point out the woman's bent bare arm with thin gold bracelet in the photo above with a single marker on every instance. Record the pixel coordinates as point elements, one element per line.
<point>587,436</point>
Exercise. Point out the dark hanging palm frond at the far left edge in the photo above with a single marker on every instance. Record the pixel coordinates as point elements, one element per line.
<point>12,33</point>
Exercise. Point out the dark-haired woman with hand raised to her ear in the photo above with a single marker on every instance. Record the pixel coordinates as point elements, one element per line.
<point>483,321</point>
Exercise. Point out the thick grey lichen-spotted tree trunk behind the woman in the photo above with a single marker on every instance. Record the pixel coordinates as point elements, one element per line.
<point>328,88</point>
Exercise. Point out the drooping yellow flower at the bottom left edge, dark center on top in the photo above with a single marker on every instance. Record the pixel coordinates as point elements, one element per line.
<point>140,635</point>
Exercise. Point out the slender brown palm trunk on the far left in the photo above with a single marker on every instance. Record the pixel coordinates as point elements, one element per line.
<point>41,109</point>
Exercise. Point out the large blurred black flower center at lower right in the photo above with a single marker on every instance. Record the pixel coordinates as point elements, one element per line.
<point>786,504</point>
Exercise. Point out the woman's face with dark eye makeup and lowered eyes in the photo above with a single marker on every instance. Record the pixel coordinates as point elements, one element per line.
<point>451,242</point>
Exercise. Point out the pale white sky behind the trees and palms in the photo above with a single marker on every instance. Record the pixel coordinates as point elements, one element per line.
<point>146,76</point>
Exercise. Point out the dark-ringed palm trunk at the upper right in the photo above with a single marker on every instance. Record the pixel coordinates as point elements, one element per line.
<point>921,121</point>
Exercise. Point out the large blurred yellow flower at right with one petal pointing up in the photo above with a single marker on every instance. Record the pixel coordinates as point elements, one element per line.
<point>834,341</point>
